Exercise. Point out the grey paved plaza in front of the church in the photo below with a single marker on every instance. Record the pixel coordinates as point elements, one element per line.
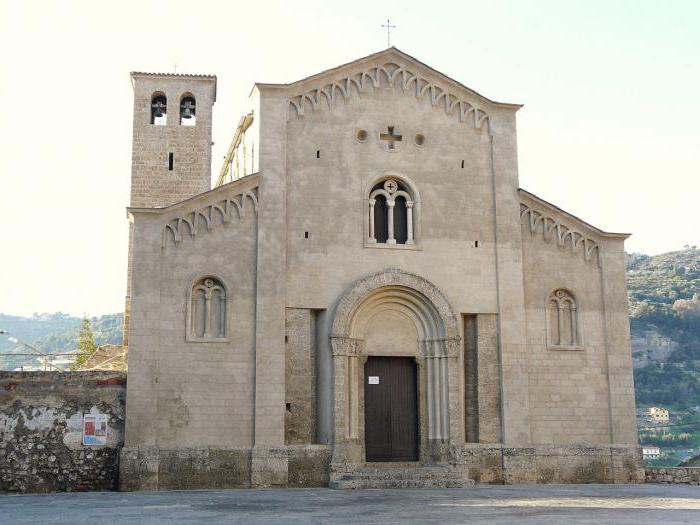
<point>541,504</point>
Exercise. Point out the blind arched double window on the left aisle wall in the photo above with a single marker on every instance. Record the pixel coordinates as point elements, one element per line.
<point>207,311</point>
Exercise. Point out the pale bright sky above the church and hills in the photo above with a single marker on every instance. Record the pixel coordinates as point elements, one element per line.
<point>609,130</point>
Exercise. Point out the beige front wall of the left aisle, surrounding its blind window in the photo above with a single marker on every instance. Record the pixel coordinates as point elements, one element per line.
<point>186,392</point>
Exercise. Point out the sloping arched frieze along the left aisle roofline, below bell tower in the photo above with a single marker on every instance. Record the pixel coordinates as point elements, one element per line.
<point>221,212</point>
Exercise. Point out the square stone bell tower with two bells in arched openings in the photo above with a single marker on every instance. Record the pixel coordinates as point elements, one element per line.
<point>171,148</point>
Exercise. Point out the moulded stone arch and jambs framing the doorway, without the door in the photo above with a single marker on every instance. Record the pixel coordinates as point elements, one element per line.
<point>421,304</point>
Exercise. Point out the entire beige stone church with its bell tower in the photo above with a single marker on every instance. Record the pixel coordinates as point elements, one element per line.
<point>366,298</point>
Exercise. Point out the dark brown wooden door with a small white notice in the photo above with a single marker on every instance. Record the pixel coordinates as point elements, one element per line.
<point>391,409</point>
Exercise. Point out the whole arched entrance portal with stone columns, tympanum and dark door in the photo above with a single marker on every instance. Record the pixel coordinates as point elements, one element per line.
<point>407,322</point>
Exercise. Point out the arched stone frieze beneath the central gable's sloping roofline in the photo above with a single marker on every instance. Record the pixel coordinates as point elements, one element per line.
<point>396,76</point>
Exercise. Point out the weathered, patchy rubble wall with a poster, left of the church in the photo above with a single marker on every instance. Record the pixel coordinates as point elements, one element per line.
<point>41,430</point>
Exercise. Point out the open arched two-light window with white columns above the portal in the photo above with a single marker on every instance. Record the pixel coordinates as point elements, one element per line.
<point>391,213</point>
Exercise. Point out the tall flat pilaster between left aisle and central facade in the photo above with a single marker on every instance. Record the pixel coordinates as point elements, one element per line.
<point>270,298</point>
